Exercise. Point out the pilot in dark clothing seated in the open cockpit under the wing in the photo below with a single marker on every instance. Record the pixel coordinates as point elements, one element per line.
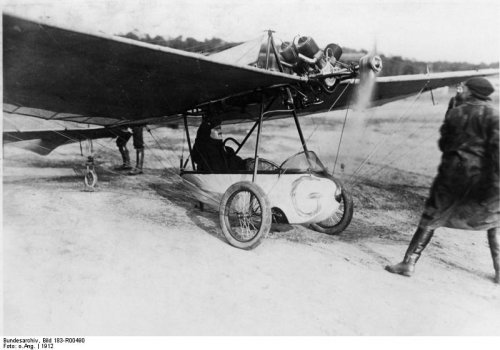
<point>209,152</point>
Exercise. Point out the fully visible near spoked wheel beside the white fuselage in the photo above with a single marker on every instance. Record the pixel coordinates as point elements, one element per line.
<point>245,215</point>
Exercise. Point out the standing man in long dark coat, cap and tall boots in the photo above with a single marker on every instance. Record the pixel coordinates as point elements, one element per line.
<point>465,193</point>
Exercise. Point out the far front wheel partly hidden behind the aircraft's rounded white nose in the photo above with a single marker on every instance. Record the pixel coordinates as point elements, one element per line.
<point>339,221</point>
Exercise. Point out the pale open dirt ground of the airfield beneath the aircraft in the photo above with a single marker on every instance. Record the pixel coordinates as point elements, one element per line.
<point>135,257</point>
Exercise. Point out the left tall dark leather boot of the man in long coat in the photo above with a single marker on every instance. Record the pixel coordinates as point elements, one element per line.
<point>418,243</point>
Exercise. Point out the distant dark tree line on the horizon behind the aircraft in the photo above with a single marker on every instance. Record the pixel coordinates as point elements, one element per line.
<point>393,65</point>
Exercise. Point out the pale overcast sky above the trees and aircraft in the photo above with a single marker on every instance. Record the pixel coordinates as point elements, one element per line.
<point>454,30</point>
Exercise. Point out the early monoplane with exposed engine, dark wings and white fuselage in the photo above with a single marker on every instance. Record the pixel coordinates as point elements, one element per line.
<point>63,74</point>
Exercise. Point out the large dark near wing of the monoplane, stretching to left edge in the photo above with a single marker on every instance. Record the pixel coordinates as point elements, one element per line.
<point>104,80</point>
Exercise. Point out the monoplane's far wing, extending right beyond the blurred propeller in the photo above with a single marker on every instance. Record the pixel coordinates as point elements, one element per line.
<point>393,88</point>
